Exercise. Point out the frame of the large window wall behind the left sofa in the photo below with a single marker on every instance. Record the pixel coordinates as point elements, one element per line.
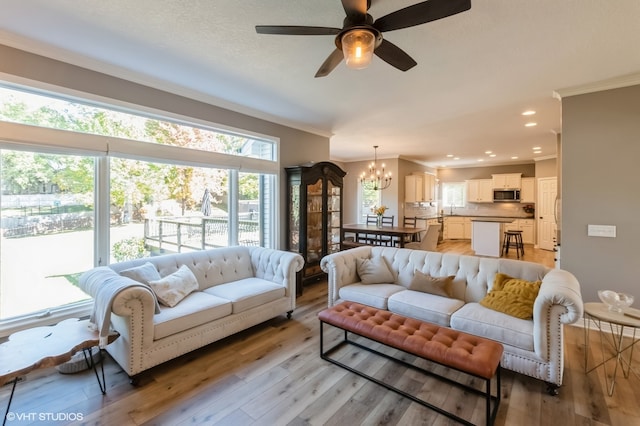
<point>15,136</point>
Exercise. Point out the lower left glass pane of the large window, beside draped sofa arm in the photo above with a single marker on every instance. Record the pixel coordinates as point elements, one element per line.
<point>47,230</point>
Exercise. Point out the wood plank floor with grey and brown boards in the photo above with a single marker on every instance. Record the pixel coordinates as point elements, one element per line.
<point>272,375</point>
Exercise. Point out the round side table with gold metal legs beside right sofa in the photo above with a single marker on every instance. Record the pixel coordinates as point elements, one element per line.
<point>611,329</point>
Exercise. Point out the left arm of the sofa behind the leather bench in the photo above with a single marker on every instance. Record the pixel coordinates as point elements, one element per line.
<point>341,270</point>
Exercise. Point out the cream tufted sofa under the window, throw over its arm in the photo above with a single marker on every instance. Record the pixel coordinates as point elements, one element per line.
<point>238,287</point>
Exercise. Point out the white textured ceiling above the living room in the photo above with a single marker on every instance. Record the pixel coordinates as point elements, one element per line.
<point>477,71</point>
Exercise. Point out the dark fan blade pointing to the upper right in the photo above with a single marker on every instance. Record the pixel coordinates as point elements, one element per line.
<point>421,13</point>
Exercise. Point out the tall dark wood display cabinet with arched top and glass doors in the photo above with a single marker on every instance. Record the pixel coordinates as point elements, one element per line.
<point>314,224</point>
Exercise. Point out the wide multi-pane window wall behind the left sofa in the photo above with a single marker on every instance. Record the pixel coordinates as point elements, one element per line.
<point>82,186</point>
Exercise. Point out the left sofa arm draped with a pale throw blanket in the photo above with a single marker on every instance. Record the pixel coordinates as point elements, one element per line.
<point>134,303</point>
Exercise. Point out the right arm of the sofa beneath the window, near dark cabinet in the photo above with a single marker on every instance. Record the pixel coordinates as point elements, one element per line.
<point>277,266</point>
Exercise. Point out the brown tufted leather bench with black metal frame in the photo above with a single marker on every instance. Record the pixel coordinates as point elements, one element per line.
<point>476,356</point>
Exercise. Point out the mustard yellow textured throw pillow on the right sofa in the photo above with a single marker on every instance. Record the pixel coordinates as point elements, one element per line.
<point>512,296</point>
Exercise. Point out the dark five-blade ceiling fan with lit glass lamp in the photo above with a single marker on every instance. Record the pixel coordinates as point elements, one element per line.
<point>360,36</point>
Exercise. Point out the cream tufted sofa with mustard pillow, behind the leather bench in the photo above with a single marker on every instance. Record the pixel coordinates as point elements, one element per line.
<point>532,347</point>
